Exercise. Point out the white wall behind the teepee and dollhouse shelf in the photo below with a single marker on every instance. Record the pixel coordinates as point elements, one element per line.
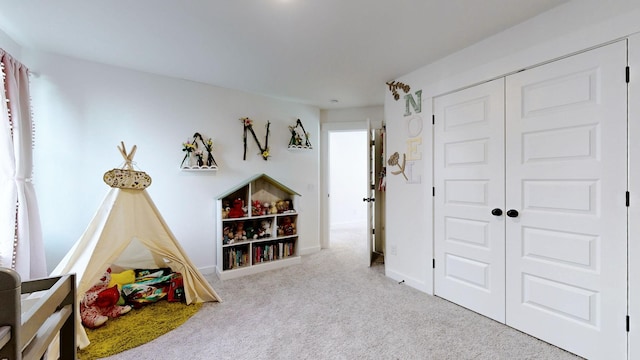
<point>83,110</point>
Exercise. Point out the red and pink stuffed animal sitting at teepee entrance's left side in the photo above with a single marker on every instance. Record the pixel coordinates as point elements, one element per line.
<point>100,303</point>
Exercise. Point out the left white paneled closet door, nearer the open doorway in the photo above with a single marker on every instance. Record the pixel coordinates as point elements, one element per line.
<point>469,184</point>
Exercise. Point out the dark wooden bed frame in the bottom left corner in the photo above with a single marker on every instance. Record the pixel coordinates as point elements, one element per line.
<point>28,324</point>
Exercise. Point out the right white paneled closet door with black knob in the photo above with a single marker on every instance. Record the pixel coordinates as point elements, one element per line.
<point>566,161</point>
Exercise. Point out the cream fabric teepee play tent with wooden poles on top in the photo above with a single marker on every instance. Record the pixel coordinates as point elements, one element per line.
<point>128,232</point>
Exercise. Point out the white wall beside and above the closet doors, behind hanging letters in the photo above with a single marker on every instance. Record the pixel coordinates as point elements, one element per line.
<point>570,28</point>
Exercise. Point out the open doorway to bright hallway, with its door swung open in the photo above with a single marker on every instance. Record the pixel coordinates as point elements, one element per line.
<point>353,162</point>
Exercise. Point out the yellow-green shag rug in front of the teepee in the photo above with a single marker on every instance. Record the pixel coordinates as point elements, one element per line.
<point>135,328</point>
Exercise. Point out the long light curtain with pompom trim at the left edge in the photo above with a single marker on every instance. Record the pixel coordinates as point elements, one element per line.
<point>21,246</point>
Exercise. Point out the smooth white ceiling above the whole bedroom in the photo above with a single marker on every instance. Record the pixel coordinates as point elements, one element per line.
<point>306,51</point>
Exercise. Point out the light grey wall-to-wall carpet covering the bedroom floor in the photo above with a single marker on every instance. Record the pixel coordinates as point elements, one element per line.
<point>334,307</point>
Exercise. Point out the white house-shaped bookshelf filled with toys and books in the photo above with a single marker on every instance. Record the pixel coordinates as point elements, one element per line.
<point>257,228</point>
